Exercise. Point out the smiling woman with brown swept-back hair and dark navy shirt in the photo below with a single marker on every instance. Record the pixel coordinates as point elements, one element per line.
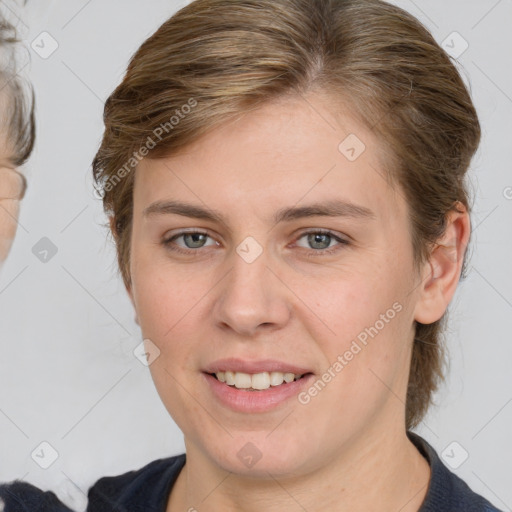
<point>285,186</point>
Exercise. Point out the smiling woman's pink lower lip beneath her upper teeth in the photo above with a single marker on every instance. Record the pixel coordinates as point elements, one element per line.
<point>242,400</point>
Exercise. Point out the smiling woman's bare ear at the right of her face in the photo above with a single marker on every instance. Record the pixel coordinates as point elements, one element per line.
<point>441,273</point>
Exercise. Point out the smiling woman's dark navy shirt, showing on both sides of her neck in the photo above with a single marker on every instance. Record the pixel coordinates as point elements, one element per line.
<point>148,489</point>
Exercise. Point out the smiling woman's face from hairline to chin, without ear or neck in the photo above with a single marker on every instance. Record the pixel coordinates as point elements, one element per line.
<point>309,272</point>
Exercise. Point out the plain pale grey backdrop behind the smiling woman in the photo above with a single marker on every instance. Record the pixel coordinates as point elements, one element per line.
<point>68,376</point>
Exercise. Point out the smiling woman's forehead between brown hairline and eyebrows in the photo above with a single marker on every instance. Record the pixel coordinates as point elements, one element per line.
<point>289,151</point>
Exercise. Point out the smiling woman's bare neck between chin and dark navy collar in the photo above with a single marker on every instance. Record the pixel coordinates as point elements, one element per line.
<point>382,472</point>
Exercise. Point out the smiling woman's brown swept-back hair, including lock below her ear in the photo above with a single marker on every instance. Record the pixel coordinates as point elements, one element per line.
<point>230,56</point>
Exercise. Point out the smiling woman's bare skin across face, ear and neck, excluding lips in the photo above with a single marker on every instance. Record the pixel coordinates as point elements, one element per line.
<point>347,448</point>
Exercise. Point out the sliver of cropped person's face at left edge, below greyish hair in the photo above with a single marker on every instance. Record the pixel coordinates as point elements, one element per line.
<point>12,187</point>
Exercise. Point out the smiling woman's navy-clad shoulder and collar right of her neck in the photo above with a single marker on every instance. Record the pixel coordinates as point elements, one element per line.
<point>447,492</point>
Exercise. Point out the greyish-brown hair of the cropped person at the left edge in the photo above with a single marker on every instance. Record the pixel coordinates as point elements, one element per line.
<point>16,101</point>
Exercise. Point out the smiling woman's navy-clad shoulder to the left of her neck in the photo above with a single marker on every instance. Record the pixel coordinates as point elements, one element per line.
<point>145,489</point>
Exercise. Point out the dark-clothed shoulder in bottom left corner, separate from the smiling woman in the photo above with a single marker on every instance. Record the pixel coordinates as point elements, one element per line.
<point>24,497</point>
